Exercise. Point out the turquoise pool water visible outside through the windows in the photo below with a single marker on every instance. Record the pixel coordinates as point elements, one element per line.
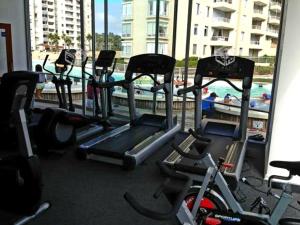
<point>221,88</point>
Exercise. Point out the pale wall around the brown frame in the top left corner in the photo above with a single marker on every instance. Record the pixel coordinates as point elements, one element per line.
<point>12,11</point>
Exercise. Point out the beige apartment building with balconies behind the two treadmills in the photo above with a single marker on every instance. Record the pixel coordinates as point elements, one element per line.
<point>240,27</point>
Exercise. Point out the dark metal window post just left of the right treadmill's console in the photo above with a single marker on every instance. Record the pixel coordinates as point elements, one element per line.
<point>186,66</point>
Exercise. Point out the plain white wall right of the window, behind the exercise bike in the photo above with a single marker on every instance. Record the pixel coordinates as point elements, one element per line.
<point>285,139</point>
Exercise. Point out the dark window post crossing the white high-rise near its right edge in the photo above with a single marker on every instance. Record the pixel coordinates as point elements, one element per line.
<point>82,33</point>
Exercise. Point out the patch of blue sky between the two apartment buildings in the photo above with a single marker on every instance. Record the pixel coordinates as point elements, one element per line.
<point>114,16</point>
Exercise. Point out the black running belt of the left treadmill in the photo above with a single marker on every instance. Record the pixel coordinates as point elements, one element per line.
<point>117,145</point>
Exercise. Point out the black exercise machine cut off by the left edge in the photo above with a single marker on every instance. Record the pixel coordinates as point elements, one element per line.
<point>20,172</point>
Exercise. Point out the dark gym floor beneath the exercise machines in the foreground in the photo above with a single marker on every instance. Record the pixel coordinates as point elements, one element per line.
<point>91,193</point>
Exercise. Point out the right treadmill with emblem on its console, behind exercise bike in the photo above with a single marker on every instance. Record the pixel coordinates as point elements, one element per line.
<point>221,138</point>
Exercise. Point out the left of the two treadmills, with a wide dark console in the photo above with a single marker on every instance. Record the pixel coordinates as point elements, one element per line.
<point>131,144</point>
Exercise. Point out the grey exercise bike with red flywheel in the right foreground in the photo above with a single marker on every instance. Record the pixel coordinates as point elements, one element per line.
<point>213,203</point>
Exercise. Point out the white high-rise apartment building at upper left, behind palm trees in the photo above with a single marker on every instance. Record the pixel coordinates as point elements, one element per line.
<point>57,16</point>
